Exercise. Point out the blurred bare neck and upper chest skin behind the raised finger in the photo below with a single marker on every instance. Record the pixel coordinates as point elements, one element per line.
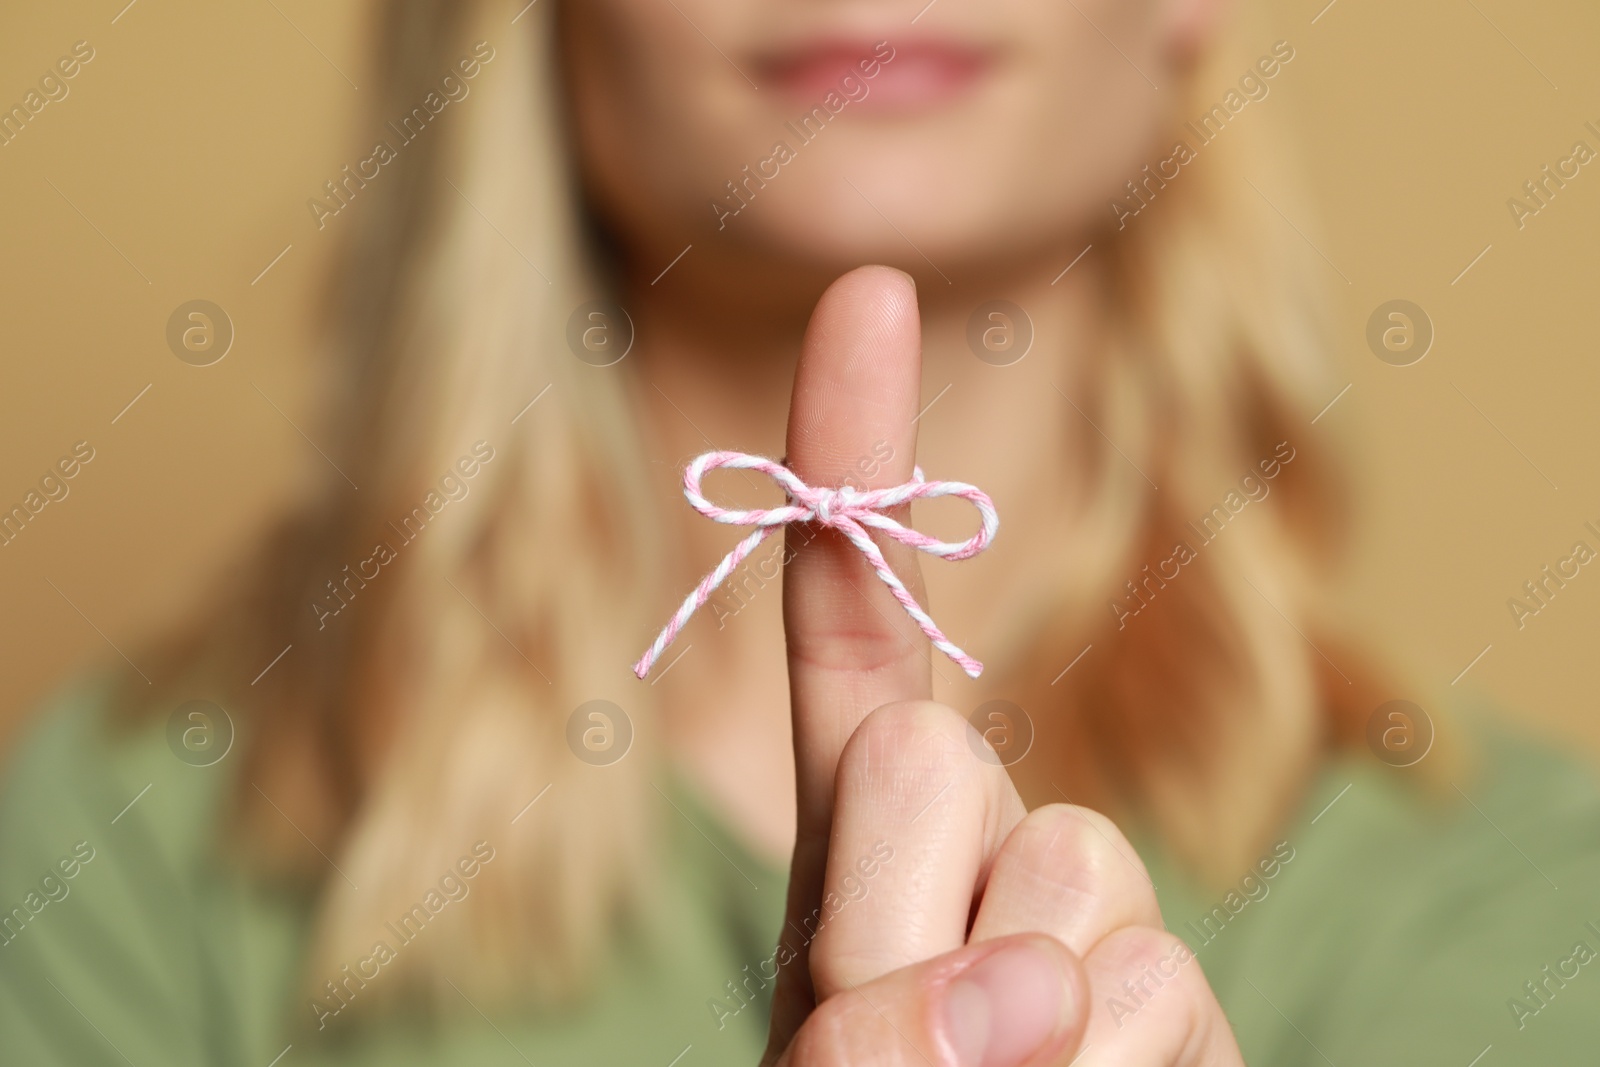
<point>718,380</point>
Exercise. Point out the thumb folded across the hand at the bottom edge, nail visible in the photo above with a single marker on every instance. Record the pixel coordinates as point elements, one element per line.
<point>999,1004</point>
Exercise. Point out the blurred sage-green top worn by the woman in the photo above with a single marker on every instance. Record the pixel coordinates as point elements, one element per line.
<point>1388,929</point>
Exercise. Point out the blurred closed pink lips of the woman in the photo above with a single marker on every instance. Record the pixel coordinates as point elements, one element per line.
<point>908,76</point>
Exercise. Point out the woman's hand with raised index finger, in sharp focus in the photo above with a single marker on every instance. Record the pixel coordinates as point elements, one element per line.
<point>932,919</point>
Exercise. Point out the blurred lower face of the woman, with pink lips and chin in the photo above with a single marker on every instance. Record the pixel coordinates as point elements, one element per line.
<point>846,132</point>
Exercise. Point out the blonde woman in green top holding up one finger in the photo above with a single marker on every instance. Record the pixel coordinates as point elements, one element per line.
<point>598,239</point>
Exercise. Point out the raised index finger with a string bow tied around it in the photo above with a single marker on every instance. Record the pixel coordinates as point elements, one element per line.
<point>850,645</point>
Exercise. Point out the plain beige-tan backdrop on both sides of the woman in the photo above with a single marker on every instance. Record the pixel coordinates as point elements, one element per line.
<point>182,162</point>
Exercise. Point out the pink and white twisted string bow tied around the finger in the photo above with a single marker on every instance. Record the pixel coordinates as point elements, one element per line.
<point>849,511</point>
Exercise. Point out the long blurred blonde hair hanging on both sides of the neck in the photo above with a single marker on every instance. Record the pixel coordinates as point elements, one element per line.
<point>426,719</point>
